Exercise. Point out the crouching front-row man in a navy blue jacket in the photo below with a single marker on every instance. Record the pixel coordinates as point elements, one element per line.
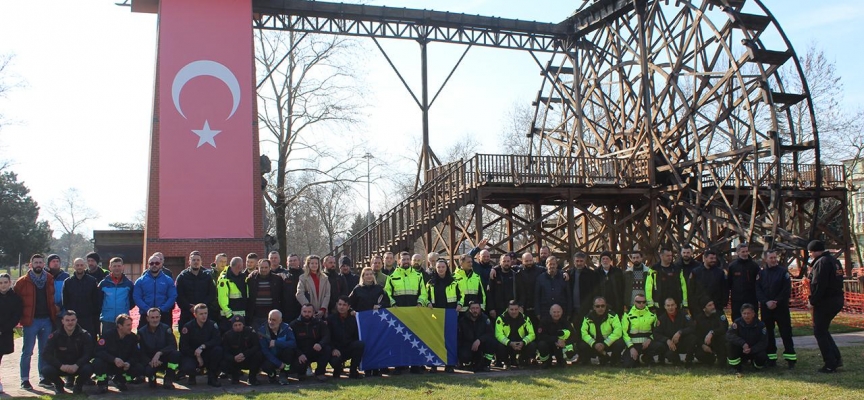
<point>279,348</point>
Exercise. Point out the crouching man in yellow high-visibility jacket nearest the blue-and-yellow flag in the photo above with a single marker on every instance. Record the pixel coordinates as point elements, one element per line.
<point>515,335</point>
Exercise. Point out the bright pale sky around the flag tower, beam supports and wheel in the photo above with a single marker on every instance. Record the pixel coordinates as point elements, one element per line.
<point>82,118</point>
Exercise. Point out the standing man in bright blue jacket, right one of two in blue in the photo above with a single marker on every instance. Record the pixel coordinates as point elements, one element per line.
<point>155,289</point>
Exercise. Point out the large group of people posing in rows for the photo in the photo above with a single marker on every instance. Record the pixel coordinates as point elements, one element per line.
<point>276,321</point>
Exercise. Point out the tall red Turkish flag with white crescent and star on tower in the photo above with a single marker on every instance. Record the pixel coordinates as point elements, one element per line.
<point>206,119</point>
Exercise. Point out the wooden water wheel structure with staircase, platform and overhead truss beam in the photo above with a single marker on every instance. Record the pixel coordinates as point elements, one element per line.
<point>657,124</point>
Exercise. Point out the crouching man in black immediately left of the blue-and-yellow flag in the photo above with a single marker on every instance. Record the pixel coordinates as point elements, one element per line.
<point>345,338</point>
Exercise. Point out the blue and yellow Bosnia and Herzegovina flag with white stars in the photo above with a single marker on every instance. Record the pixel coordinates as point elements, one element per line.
<point>406,336</point>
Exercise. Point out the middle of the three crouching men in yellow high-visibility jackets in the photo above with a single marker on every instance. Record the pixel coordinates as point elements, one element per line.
<point>601,336</point>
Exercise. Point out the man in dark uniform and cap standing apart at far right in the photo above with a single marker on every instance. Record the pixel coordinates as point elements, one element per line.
<point>826,298</point>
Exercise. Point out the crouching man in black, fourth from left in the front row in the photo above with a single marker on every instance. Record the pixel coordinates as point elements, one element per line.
<point>200,347</point>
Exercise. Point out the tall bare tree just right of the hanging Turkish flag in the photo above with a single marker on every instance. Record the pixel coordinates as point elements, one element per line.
<point>305,85</point>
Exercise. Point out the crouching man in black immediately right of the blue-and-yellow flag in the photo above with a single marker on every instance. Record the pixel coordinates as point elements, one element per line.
<point>476,340</point>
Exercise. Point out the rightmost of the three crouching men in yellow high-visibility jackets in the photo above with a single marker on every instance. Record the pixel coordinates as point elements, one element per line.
<point>636,327</point>
